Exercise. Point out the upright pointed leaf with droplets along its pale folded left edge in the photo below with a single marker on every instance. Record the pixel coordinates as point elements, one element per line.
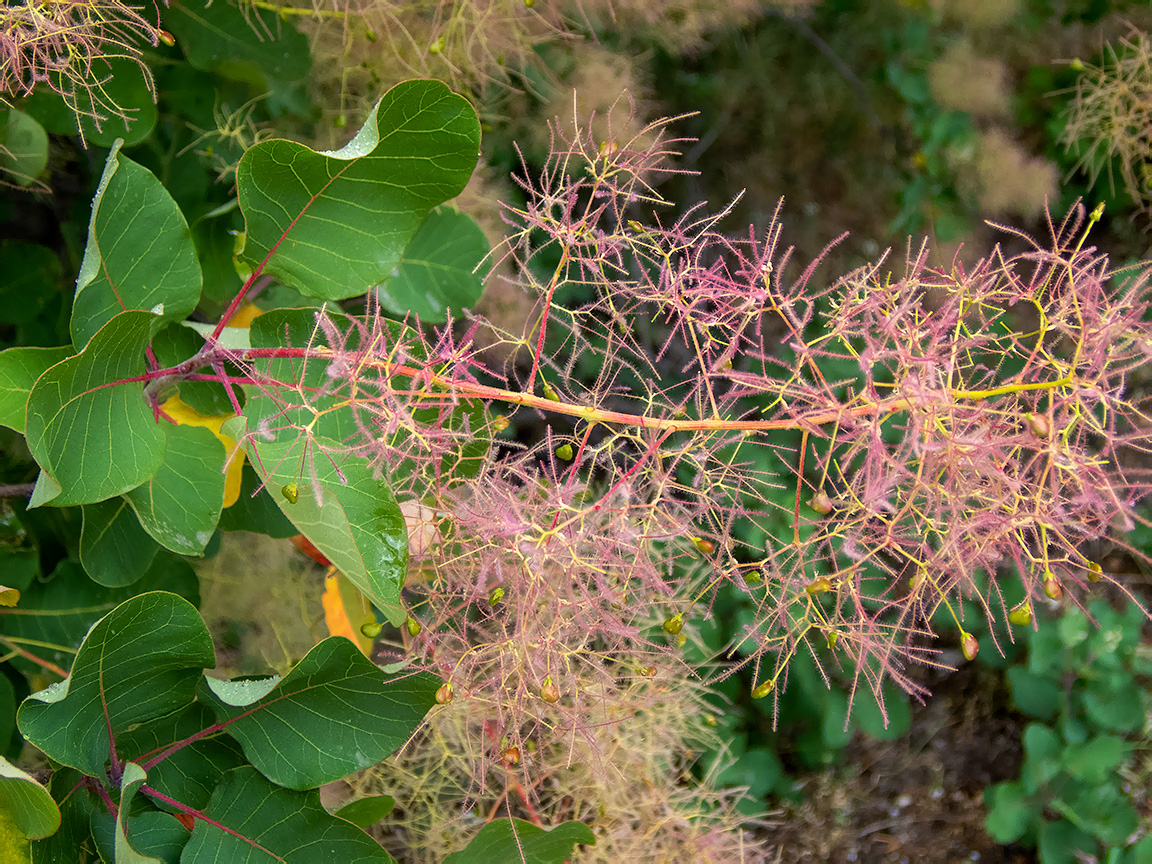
<point>140,252</point>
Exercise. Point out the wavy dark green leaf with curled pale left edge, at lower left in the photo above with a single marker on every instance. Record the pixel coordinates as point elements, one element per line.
<point>119,680</point>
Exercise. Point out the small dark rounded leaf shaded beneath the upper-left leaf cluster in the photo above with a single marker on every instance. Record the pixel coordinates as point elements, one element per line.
<point>113,548</point>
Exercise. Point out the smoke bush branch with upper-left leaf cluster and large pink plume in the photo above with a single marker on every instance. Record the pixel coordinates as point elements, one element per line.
<point>951,423</point>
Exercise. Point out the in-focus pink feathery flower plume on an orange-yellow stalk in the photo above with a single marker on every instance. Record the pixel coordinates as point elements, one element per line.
<point>858,458</point>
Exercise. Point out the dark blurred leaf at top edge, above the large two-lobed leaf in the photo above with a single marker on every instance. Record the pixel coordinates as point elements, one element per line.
<point>249,46</point>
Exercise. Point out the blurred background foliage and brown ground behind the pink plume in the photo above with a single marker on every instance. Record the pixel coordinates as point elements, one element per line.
<point>892,120</point>
